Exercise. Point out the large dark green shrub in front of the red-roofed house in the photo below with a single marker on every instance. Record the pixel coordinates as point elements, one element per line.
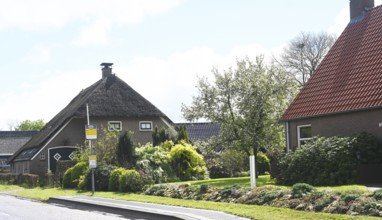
<point>326,160</point>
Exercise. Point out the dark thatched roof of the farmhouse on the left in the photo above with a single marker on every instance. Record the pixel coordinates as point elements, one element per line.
<point>108,97</point>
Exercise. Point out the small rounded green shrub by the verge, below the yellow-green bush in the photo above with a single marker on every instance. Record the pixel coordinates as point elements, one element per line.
<point>131,181</point>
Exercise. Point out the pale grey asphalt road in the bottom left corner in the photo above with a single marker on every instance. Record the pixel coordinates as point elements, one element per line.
<point>15,208</point>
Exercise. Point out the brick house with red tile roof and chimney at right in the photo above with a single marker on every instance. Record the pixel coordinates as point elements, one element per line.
<point>344,96</point>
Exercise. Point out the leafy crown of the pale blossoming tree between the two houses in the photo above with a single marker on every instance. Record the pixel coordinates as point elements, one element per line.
<point>246,101</point>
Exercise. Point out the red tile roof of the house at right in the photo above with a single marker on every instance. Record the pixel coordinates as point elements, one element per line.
<point>349,77</point>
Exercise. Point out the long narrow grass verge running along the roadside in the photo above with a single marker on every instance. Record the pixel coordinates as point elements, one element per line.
<point>249,211</point>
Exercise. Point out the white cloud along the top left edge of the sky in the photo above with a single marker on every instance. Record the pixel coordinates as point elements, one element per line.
<point>42,14</point>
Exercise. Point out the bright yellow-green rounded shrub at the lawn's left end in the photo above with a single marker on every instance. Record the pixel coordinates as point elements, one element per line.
<point>187,163</point>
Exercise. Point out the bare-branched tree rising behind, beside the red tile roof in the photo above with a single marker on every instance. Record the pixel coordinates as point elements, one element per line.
<point>304,53</point>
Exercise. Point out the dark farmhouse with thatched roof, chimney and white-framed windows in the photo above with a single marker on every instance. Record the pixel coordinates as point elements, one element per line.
<point>112,103</point>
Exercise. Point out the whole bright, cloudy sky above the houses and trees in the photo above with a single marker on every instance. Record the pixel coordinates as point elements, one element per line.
<point>51,50</point>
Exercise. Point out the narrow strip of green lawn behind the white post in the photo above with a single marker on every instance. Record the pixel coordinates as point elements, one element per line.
<point>240,181</point>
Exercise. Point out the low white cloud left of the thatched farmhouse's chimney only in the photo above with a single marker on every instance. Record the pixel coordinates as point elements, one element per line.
<point>45,99</point>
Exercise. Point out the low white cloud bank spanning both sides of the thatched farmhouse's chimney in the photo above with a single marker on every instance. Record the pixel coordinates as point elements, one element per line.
<point>167,83</point>
